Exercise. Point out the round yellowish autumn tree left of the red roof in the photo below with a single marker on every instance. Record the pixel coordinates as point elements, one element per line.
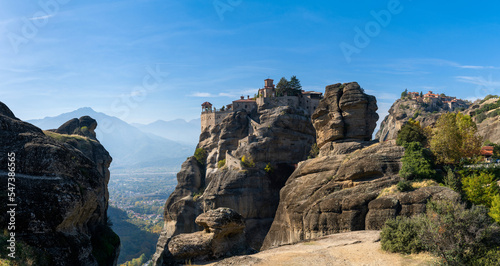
<point>455,137</point>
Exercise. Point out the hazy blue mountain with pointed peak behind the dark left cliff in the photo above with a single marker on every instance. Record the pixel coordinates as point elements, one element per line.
<point>130,147</point>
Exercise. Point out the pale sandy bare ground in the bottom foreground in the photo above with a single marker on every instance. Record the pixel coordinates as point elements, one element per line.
<point>351,248</point>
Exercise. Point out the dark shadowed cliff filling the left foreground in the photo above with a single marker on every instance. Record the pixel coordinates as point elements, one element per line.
<point>61,193</point>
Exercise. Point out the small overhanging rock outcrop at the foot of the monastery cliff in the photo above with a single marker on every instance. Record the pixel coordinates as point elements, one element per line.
<point>223,236</point>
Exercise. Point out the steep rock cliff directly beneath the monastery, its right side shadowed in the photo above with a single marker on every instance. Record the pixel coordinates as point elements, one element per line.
<point>271,141</point>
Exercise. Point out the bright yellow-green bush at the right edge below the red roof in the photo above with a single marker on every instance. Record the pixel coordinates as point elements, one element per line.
<point>480,189</point>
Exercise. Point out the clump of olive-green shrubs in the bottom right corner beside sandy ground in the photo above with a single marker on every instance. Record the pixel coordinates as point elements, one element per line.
<point>459,236</point>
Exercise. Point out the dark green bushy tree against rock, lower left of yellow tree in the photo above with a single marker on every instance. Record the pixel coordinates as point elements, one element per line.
<point>417,163</point>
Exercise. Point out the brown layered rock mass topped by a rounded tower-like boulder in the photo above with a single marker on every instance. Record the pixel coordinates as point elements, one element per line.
<point>340,190</point>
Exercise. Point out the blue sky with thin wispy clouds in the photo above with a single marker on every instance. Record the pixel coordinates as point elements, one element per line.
<point>144,60</point>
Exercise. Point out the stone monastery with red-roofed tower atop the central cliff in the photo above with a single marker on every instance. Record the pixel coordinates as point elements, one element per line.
<point>266,99</point>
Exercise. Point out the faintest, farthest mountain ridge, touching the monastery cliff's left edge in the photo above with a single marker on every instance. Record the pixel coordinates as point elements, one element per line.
<point>178,130</point>
